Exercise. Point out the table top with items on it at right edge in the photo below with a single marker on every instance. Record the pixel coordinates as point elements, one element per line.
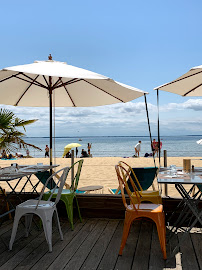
<point>180,177</point>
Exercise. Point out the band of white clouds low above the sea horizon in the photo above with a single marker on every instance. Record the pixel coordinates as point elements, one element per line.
<point>118,119</point>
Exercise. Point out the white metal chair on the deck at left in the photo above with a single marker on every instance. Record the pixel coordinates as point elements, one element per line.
<point>44,209</point>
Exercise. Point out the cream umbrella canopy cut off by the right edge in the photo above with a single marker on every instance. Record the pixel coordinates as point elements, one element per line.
<point>189,84</point>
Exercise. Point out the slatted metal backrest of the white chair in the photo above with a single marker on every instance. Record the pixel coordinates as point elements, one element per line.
<point>59,184</point>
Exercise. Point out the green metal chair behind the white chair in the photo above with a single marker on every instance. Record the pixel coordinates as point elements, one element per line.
<point>69,194</point>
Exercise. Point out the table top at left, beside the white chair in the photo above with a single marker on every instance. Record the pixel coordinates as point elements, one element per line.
<point>25,171</point>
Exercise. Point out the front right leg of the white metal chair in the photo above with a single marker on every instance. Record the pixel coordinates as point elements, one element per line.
<point>47,226</point>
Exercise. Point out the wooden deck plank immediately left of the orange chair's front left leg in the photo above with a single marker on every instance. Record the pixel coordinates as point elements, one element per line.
<point>111,254</point>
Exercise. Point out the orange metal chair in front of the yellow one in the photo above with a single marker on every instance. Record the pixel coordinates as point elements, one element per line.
<point>140,210</point>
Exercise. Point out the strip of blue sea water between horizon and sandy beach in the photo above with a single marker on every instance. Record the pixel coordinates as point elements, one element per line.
<point>120,146</point>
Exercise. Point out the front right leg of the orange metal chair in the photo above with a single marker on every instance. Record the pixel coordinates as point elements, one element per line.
<point>160,224</point>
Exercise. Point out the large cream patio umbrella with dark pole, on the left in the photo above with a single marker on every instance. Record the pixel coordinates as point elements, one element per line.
<point>33,85</point>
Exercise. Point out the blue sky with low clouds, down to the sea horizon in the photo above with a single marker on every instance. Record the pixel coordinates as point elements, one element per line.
<point>140,43</point>
